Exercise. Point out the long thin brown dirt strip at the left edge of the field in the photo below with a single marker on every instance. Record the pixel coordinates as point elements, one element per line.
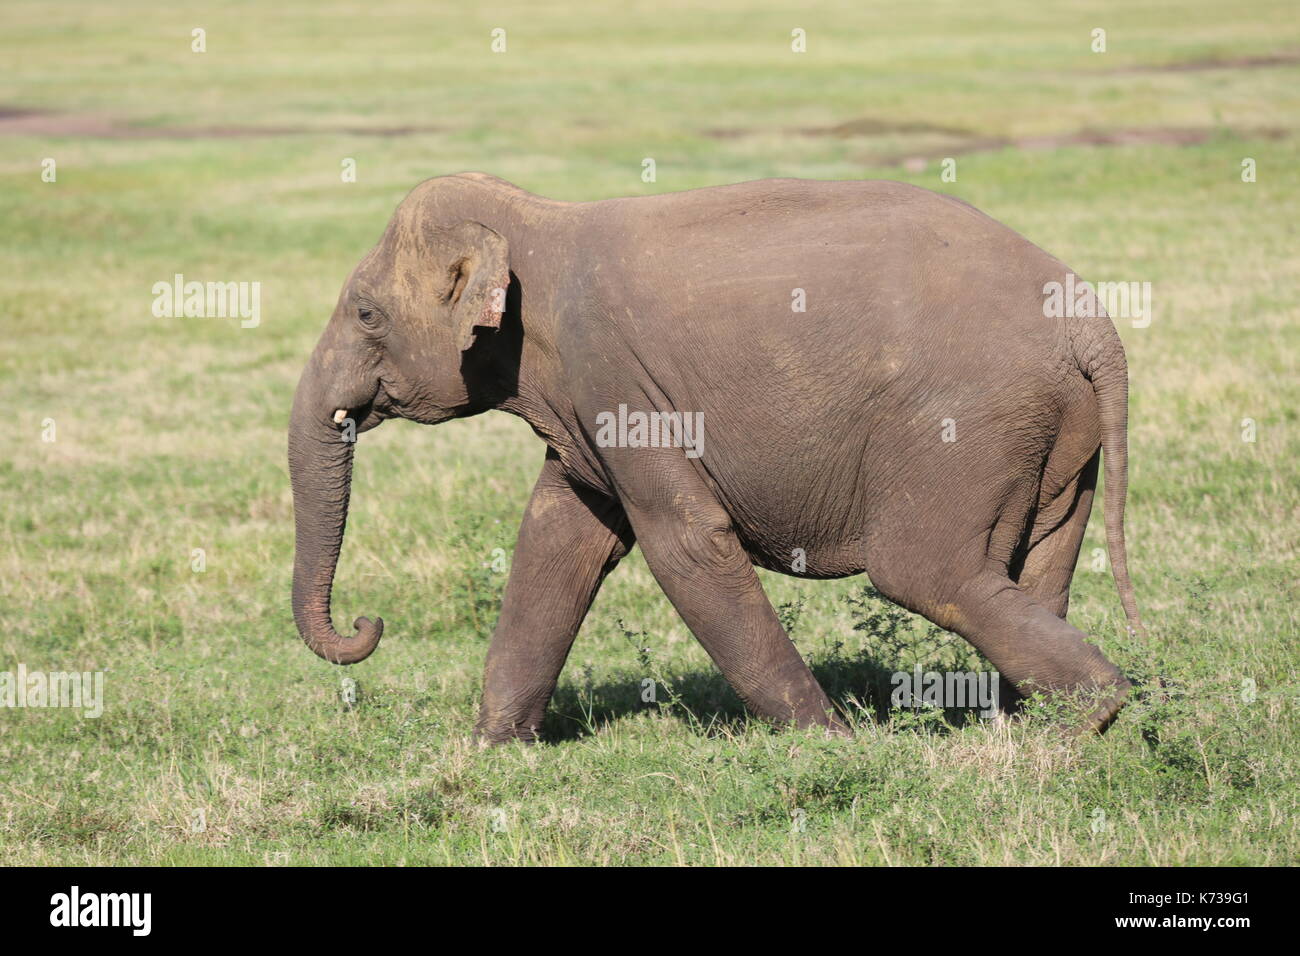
<point>36,123</point>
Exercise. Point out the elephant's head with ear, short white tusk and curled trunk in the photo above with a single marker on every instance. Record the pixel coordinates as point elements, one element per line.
<point>397,345</point>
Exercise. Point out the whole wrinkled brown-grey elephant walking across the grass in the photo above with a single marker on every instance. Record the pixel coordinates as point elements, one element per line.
<point>824,430</point>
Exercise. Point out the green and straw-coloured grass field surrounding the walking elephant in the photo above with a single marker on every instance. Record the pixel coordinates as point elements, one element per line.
<point>224,741</point>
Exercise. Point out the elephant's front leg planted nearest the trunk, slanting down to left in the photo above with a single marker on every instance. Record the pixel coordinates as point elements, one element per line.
<point>571,538</point>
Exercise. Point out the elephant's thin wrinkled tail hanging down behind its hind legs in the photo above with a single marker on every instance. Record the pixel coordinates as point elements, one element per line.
<point>1100,356</point>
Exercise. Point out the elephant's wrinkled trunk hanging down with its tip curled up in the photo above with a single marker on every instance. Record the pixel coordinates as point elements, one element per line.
<point>320,469</point>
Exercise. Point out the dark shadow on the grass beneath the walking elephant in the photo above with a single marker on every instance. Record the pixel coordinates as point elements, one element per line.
<point>704,700</point>
